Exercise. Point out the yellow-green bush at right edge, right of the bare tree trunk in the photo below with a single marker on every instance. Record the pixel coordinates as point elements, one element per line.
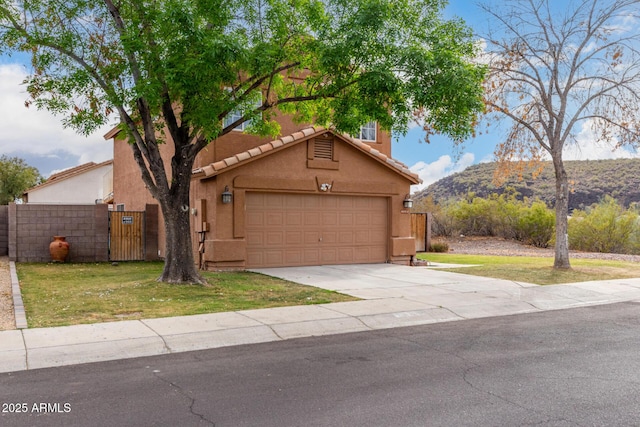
<point>605,227</point>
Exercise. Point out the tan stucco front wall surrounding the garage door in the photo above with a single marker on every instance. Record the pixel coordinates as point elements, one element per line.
<point>287,170</point>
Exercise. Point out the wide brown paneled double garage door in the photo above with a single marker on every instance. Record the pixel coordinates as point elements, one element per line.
<point>294,229</point>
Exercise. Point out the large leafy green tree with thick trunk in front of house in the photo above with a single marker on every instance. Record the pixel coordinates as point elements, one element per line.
<point>173,70</point>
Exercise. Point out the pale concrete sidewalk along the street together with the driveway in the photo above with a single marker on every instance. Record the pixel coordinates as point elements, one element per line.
<point>392,296</point>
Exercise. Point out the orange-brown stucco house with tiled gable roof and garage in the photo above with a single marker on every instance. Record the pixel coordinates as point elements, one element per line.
<point>310,198</point>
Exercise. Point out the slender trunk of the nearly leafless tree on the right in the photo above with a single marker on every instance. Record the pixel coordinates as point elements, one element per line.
<point>562,210</point>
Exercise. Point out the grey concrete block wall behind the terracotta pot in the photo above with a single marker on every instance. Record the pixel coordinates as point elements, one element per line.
<point>32,227</point>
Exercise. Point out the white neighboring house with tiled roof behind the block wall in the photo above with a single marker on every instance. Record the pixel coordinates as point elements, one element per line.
<point>89,183</point>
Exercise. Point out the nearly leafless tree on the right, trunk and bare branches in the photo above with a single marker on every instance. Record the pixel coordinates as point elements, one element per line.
<point>556,68</point>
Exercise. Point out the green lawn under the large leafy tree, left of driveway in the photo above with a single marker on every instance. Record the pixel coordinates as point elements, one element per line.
<point>68,294</point>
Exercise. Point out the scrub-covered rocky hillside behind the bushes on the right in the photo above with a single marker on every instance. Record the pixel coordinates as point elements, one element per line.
<point>590,181</point>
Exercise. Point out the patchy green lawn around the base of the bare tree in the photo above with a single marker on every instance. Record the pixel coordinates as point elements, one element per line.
<point>538,270</point>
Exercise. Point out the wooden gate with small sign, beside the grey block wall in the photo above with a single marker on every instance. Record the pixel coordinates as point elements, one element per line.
<point>126,236</point>
